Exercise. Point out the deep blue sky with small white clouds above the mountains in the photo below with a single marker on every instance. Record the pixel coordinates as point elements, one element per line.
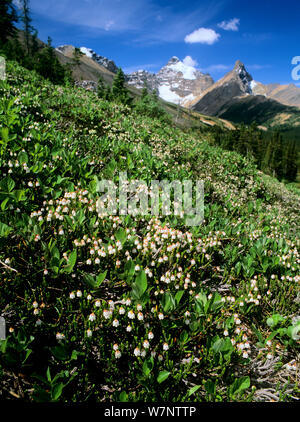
<point>144,34</point>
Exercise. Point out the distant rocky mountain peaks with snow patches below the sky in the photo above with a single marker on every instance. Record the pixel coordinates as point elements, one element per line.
<point>236,96</point>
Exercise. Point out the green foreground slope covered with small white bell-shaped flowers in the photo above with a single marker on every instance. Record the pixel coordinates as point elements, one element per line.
<point>233,275</point>
